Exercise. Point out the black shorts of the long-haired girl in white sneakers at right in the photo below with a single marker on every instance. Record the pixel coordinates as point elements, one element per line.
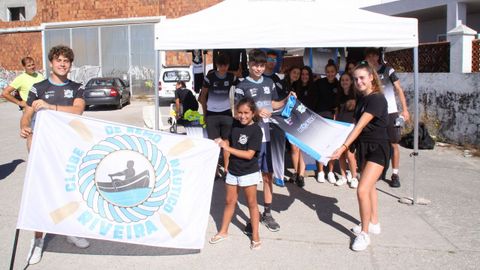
<point>377,152</point>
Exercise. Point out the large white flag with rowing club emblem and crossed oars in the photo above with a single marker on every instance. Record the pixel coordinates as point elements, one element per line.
<point>104,180</point>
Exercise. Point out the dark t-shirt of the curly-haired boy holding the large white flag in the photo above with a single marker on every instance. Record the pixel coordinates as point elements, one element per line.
<point>57,94</point>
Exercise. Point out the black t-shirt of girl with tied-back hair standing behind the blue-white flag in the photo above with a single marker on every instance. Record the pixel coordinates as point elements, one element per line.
<point>326,95</point>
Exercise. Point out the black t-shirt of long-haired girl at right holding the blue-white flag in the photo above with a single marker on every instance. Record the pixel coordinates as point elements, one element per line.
<point>376,129</point>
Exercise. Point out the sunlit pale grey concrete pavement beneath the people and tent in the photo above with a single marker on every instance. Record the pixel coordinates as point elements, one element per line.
<point>315,221</point>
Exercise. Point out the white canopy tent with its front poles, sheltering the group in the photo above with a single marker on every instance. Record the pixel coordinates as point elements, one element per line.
<point>288,24</point>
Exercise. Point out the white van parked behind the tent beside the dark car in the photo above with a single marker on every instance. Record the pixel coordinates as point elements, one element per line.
<point>169,76</point>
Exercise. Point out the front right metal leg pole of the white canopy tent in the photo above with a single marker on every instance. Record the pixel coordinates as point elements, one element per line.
<point>415,119</point>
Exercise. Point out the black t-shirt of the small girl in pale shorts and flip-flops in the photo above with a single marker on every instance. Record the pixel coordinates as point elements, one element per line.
<point>245,138</point>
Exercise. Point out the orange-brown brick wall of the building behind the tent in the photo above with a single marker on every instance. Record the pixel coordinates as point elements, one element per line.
<point>17,45</point>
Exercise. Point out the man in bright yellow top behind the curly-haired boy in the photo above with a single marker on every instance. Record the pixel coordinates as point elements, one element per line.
<point>23,83</point>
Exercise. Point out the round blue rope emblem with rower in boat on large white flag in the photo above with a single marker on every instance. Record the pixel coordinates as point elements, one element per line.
<point>124,178</point>
